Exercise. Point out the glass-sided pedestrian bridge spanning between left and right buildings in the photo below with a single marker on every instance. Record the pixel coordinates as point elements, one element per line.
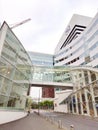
<point>44,76</point>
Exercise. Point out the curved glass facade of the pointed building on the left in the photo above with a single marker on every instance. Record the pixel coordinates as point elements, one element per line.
<point>15,65</point>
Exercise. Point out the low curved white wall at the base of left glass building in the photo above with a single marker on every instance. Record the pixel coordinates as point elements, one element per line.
<point>8,116</point>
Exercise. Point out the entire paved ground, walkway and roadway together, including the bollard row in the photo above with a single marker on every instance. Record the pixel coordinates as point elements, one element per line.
<point>49,120</point>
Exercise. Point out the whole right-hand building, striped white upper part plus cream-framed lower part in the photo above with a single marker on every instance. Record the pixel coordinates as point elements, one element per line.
<point>78,48</point>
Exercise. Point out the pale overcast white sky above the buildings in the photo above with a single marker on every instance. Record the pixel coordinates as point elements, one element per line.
<point>49,18</point>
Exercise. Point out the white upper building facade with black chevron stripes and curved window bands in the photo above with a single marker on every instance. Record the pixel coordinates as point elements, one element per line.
<point>79,45</point>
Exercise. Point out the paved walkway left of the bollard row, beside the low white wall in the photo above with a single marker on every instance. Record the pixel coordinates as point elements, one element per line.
<point>31,122</point>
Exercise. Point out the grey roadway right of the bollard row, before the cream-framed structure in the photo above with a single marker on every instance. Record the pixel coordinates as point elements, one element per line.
<point>79,122</point>
